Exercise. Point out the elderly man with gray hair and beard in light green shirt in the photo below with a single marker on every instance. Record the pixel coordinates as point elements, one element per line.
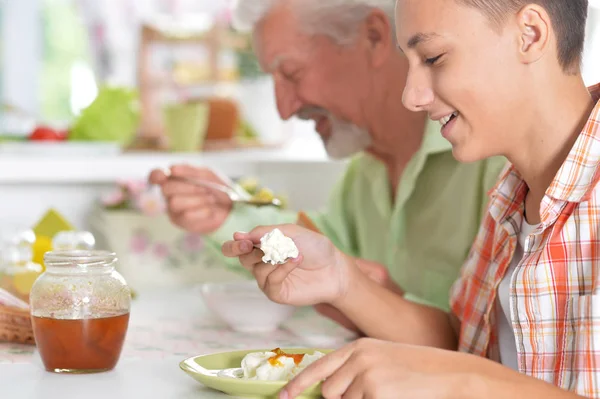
<point>404,204</point>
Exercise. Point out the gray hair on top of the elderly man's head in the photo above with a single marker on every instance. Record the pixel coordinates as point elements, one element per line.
<point>338,19</point>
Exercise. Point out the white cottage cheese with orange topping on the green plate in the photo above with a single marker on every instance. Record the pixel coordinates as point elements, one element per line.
<point>276,365</point>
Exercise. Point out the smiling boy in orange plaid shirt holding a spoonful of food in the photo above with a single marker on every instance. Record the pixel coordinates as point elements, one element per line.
<point>503,78</point>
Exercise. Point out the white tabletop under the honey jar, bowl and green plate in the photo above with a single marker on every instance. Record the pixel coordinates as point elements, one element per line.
<point>165,328</point>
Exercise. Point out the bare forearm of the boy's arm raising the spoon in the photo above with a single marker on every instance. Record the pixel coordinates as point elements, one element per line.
<point>382,314</point>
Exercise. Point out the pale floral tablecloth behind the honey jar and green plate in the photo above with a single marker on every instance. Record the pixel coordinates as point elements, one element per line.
<point>176,323</point>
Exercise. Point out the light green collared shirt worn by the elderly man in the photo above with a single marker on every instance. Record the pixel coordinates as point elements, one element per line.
<point>423,237</point>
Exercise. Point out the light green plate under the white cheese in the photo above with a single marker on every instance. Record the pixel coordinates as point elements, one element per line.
<point>199,367</point>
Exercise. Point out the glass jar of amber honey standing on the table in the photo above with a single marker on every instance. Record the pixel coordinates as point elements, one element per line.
<point>80,312</point>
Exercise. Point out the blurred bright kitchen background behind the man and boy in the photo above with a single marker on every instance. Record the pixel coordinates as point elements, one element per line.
<point>96,93</point>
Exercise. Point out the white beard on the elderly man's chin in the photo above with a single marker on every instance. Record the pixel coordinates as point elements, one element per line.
<point>346,139</point>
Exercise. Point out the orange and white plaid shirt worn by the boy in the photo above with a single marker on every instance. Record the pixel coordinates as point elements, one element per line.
<point>555,289</point>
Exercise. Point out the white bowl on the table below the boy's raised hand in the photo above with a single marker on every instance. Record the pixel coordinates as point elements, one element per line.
<point>244,307</point>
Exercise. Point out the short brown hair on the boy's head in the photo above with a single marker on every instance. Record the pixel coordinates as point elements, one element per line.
<point>568,18</point>
